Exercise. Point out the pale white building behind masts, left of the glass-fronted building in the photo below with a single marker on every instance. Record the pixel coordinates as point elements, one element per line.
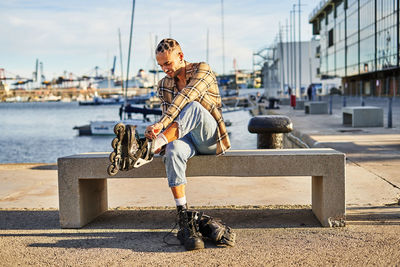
<point>281,68</point>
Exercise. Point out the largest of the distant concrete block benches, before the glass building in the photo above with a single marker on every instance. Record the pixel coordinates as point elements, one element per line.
<point>366,116</point>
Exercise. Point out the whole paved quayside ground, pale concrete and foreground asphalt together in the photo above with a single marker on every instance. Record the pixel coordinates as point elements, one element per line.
<point>271,216</point>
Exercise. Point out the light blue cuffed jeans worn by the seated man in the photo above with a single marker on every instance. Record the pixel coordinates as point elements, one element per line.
<point>197,135</point>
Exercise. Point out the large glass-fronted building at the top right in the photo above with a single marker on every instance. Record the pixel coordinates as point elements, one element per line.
<point>359,42</point>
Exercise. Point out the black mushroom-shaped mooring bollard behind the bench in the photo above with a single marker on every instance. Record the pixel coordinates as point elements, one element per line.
<point>270,130</point>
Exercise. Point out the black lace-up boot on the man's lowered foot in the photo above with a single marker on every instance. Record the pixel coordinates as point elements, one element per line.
<point>188,233</point>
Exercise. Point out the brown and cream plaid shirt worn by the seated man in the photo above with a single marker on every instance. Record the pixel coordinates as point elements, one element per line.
<point>202,87</point>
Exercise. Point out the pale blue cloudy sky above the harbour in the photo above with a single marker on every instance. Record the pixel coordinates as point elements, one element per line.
<point>75,36</point>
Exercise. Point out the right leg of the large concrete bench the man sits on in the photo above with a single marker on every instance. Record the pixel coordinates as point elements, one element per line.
<point>328,200</point>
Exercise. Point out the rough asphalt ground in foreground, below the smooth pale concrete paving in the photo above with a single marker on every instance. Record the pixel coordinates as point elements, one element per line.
<point>286,236</point>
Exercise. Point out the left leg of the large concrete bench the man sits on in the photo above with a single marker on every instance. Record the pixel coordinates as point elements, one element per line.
<point>81,201</point>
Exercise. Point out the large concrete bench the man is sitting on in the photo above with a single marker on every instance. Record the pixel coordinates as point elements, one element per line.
<point>82,179</point>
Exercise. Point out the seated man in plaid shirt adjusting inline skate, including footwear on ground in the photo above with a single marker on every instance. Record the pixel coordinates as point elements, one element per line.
<point>191,124</point>
